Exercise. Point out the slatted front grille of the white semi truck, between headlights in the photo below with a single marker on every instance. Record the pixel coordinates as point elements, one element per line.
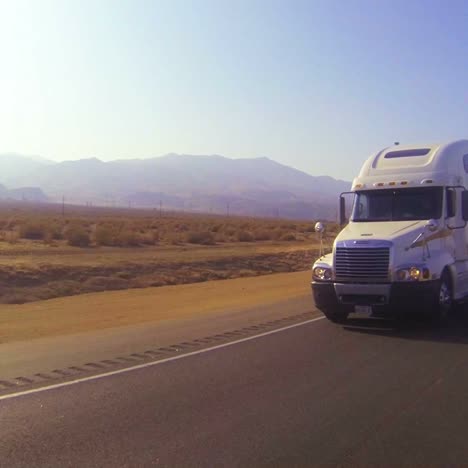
<point>362,264</point>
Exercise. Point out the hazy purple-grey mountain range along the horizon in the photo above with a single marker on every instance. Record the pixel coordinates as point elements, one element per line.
<point>256,186</point>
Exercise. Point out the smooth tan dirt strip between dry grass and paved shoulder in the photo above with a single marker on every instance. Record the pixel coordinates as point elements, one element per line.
<point>100,311</point>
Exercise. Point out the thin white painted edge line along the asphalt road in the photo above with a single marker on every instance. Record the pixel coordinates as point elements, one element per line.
<point>154,363</point>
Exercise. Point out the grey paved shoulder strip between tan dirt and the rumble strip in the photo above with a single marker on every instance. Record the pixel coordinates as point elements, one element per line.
<point>30,357</point>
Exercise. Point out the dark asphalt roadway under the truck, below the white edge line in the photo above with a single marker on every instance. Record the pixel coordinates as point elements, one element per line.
<point>314,394</point>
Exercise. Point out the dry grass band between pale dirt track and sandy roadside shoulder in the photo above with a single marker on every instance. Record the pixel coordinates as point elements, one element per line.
<point>24,282</point>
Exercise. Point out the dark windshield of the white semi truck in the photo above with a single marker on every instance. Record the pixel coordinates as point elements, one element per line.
<point>398,204</point>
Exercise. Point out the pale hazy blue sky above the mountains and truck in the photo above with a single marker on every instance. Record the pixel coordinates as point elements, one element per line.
<point>318,85</point>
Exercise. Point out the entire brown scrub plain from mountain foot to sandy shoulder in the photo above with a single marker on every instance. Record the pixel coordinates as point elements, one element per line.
<point>92,250</point>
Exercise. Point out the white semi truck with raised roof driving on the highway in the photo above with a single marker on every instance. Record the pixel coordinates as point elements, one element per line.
<point>405,245</point>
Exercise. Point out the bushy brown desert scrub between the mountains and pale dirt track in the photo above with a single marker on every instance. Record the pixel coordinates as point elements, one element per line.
<point>129,228</point>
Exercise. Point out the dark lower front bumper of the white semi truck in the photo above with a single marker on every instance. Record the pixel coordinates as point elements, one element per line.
<point>387,298</point>
